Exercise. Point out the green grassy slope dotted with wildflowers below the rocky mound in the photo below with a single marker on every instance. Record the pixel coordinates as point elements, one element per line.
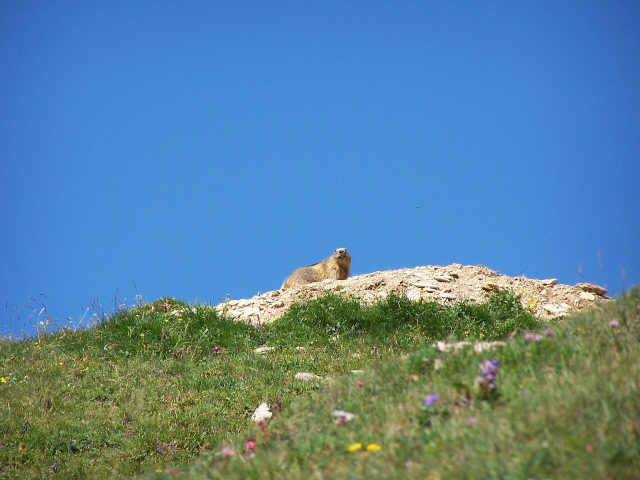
<point>164,387</point>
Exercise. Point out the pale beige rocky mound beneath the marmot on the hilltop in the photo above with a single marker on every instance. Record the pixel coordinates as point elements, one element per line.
<point>445,284</point>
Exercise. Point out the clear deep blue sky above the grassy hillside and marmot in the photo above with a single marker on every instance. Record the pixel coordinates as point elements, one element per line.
<point>198,149</point>
